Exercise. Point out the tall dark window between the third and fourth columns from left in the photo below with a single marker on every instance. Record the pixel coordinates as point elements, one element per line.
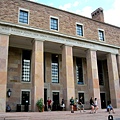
<point>79,71</point>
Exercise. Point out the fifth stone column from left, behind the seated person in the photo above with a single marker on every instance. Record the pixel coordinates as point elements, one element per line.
<point>113,80</point>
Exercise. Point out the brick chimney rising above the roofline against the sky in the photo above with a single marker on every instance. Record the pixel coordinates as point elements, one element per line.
<point>98,15</point>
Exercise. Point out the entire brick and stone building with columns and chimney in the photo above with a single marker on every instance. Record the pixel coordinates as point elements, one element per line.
<point>47,52</point>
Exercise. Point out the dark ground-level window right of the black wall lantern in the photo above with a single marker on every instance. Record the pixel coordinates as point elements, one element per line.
<point>25,97</point>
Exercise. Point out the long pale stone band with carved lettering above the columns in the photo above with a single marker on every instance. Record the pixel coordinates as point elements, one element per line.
<point>44,35</point>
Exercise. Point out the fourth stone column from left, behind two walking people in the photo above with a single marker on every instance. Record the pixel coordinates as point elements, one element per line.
<point>92,74</point>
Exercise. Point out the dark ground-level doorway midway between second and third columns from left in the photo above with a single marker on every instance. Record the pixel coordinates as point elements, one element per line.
<point>56,104</point>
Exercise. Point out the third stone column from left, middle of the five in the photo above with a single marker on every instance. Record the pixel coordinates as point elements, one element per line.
<point>68,75</point>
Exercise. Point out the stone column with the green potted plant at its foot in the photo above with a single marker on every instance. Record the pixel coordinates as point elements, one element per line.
<point>37,73</point>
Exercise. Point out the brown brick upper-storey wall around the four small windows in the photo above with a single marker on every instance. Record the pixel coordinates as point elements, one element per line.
<point>40,18</point>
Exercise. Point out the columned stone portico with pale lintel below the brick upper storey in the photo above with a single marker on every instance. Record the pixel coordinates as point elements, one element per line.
<point>15,38</point>
